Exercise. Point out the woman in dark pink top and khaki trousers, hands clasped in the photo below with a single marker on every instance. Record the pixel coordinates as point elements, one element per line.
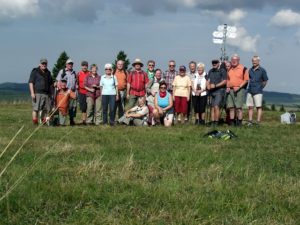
<point>93,96</point>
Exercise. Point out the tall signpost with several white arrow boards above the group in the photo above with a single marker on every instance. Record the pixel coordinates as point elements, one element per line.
<point>221,34</point>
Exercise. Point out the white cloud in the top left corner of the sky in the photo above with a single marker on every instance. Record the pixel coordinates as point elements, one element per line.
<point>14,9</point>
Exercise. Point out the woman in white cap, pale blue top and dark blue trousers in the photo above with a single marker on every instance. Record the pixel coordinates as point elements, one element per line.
<point>109,90</point>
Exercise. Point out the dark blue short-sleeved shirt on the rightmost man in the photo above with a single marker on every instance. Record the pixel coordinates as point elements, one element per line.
<point>256,79</point>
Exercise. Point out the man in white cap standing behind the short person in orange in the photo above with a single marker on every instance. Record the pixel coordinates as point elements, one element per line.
<point>69,75</point>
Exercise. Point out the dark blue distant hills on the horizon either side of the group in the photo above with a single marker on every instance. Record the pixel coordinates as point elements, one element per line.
<point>20,91</point>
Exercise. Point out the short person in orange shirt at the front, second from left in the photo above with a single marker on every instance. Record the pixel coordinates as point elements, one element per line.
<point>62,101</point>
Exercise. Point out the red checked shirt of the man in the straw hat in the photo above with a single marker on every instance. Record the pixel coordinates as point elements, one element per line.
<point>137,81</point>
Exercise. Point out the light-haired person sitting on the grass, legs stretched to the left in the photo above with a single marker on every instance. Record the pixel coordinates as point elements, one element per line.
<point>138,115</point>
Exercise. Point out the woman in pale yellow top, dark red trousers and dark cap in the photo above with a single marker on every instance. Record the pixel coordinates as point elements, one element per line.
<point>181,91</point>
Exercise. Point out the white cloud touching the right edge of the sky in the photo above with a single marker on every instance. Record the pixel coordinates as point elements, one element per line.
<point>286,18</point>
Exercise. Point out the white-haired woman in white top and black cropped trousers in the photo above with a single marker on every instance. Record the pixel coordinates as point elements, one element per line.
<point>199,94</point>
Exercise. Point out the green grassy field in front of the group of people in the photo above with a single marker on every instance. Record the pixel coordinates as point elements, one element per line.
<point>129,175</point>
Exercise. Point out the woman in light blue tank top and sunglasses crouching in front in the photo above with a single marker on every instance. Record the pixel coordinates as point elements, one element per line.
<point>163,104</point>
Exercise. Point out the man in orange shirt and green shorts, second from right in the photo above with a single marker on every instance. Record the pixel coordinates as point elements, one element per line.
<point>237,80</point>
